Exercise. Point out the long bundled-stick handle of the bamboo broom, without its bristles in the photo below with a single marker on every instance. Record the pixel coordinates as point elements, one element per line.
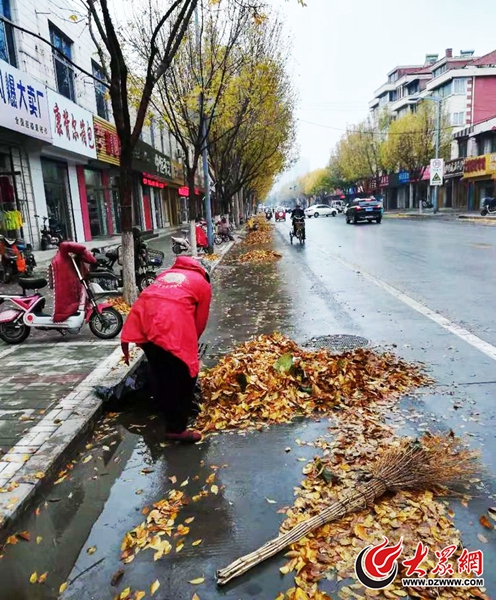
<point>336,510</point>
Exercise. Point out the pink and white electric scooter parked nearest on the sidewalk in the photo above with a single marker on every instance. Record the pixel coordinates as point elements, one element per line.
<point>104,321</point>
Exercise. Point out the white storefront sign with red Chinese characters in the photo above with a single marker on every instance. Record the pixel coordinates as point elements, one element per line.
<point>72,126</point>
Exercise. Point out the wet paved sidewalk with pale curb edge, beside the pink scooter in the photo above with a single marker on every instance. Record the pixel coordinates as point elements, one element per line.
<point>47,403</point>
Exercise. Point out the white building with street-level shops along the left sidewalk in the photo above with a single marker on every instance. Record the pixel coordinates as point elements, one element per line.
<point>59,150</point>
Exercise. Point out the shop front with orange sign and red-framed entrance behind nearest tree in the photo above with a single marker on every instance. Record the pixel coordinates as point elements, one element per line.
<point>98,184</point>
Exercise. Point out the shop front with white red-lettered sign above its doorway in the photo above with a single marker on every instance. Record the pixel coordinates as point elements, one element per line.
<point>73,146</point>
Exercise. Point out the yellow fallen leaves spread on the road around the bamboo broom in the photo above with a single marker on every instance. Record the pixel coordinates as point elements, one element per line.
<point>361,436</point>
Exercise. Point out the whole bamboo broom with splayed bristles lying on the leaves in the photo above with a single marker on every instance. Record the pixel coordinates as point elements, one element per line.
<point>414,465</point>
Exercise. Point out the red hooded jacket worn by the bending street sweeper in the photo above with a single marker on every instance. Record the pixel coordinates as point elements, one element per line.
<point>172,312</point>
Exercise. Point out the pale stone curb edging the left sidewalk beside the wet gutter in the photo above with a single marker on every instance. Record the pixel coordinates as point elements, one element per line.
<point>42,451</point>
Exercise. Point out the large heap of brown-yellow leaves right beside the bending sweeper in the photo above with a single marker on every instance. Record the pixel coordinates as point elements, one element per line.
<point>272,380</point>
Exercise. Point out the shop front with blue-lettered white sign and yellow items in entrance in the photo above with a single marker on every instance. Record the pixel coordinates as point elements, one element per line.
<point>24,129</point>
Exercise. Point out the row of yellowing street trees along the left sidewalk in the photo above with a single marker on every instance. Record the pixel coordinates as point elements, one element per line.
<point>185,61</point>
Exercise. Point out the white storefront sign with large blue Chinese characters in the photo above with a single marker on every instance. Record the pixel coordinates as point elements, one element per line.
<point>23,103</point>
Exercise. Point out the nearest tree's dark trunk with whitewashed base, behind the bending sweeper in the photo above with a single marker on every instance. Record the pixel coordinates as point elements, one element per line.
<point>126,195</point>
